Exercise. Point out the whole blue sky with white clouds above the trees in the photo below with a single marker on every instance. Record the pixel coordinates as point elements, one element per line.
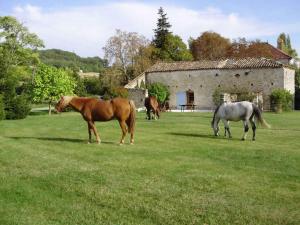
<point>84,26</point>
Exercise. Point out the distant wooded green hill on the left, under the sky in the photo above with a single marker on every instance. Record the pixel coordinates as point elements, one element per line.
<point>65,59</point>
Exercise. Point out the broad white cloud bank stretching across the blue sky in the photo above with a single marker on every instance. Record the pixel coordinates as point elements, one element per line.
<point>86,29</point>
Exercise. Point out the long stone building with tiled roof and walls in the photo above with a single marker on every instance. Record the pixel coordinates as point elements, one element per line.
<point>195,82</point>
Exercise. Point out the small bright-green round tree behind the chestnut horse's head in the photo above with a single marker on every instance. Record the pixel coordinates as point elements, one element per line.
<point>50,84</point>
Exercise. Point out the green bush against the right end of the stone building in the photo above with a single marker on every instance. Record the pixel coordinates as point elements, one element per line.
<point>281,100</point>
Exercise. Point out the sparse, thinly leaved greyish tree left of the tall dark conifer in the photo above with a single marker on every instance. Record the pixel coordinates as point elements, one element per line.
<point>122,49</point>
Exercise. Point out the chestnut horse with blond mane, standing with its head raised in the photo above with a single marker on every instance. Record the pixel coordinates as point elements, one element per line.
<point>93,109</point>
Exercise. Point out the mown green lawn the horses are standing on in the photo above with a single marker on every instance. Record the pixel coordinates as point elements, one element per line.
<point>176,173</point>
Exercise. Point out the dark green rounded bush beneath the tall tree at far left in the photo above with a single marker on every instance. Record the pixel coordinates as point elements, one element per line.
<point>17,107</point>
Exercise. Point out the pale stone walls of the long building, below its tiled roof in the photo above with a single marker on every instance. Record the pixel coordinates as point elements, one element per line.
<point>204,82</point>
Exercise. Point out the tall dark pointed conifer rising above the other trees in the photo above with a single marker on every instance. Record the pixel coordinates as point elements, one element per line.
<point>162,29</point>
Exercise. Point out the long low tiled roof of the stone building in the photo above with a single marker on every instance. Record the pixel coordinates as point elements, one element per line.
<point>246,63</point>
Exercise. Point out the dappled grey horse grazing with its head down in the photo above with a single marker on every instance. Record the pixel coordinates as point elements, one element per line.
<point>237,111</point>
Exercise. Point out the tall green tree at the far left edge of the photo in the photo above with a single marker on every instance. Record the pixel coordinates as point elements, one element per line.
<point>17,56</point>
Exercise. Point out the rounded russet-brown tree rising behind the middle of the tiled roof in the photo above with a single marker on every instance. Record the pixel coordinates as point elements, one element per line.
<point>209,46</point>
